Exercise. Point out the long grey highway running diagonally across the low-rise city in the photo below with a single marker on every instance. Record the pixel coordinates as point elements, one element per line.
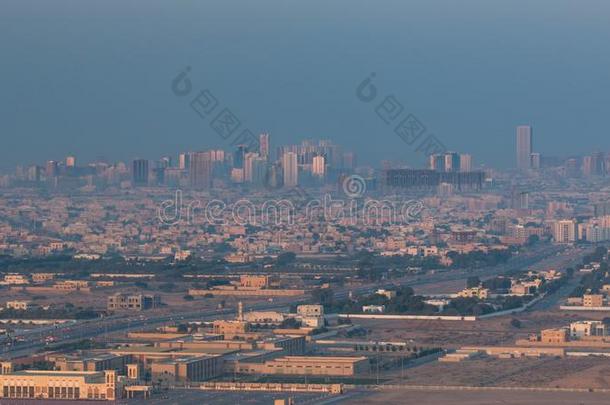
<point>545,256</point>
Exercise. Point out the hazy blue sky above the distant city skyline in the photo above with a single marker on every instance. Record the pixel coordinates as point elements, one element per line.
<point>92,78</point>
